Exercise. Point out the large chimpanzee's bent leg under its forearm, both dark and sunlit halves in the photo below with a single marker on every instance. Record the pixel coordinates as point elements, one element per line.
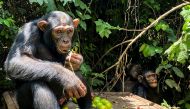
<point>36,95</point>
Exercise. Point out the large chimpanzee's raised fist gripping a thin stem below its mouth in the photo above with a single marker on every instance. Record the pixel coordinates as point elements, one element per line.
<point>73,61</point>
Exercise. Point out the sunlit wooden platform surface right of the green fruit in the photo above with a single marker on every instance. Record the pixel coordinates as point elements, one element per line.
<point>126,100</point>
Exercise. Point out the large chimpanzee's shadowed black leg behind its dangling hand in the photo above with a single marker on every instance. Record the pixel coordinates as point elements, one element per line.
<point>86,101</point>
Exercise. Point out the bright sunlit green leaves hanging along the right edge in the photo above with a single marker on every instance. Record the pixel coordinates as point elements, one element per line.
<point>178,51</point>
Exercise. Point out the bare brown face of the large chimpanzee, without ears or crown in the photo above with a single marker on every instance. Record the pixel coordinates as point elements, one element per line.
<point>62,36</point>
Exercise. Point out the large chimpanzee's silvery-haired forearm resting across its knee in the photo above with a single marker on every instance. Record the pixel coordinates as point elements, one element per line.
<point>26,68</point>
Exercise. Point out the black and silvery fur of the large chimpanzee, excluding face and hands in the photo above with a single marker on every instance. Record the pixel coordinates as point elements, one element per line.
<point>37,68</point>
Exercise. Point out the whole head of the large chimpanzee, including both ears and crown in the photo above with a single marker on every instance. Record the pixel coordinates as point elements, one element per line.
<point>61,27</point>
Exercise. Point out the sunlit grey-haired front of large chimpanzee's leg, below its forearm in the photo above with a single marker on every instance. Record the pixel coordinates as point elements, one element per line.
<point>43,97</point>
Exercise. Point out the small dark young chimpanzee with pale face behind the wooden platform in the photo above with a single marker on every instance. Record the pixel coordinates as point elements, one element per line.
<point>147,86</point>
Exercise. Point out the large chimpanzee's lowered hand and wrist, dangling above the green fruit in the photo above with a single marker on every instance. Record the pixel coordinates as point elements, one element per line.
<point>71,83</point>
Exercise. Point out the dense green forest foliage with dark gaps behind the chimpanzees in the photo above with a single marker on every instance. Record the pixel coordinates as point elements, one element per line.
<point>114,34</point>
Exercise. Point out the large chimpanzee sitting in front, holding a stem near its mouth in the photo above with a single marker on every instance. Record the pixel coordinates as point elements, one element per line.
<point>36,63</point>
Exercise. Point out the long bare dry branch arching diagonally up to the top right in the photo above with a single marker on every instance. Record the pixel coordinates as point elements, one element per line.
<point>139,35</point>
